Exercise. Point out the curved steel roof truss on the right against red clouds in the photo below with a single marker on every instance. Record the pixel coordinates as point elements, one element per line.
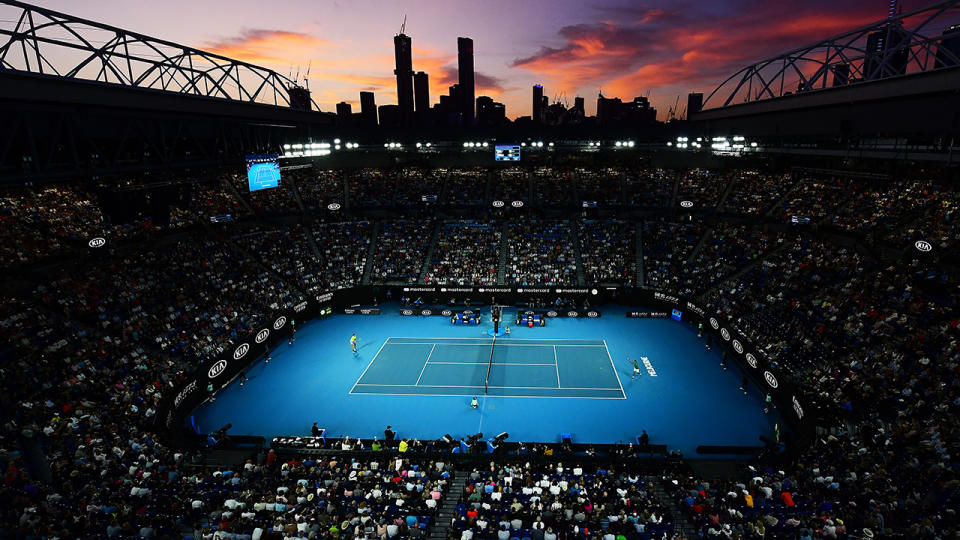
<point>900,45</point>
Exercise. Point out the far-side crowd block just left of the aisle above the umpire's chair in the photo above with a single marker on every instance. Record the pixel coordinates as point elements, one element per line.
<point>466,252</point>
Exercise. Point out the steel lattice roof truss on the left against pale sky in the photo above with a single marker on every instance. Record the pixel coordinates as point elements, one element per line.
<point>46,42</point>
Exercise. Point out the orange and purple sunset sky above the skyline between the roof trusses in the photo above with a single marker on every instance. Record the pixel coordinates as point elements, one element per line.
<point>573,48</point>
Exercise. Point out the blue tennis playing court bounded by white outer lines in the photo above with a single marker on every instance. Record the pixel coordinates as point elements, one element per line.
<point>509,367</point>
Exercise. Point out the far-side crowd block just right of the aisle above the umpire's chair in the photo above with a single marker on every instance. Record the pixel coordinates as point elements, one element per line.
<point>540,252</point>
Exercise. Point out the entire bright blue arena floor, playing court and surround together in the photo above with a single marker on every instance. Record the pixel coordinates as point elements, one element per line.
<point>394,379</point>
